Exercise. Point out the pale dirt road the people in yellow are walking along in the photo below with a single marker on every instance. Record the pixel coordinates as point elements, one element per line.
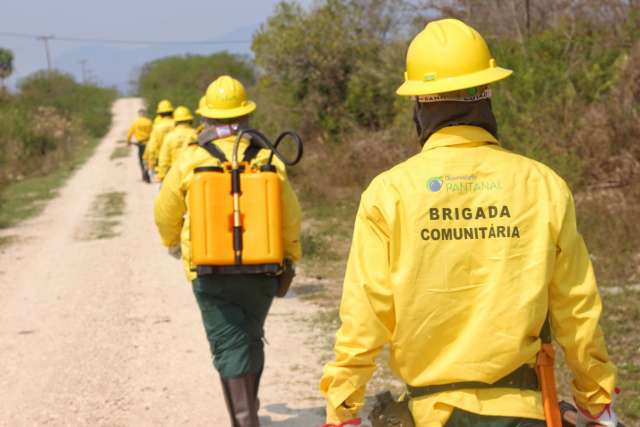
<point>99,327</point>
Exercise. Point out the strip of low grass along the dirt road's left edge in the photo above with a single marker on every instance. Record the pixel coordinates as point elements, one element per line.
<point>26,198</point>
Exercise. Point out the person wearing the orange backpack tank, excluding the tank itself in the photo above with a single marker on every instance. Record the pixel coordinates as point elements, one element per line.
<point>233,306</point>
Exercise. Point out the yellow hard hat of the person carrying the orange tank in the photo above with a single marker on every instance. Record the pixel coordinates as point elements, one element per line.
<point>226,99</point>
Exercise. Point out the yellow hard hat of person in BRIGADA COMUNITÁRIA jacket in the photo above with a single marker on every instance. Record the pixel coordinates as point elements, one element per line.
<point>446,56</point>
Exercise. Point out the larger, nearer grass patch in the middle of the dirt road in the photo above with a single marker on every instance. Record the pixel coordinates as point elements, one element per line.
<point>103,217</point>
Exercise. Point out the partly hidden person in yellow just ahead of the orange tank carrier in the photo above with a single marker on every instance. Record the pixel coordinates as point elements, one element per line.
<point>176,140</point>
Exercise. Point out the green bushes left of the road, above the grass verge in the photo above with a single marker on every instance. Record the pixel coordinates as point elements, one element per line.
<point>47,121</point>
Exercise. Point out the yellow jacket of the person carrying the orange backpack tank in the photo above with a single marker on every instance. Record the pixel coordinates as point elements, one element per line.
<point>172,204</point>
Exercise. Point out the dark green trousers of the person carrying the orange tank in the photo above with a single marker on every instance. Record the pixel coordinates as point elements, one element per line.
<point>234,309</point>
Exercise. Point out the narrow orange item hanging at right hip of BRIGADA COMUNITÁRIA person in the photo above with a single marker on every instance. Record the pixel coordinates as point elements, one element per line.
<point>546,377</point>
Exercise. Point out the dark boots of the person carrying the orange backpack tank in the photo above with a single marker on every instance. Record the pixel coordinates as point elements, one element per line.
<point>240,397</point>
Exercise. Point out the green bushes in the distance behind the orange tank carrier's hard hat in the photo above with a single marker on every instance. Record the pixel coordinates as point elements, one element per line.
<point>184,79</point>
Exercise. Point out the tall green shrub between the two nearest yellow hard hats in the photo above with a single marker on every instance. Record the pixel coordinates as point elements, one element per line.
<point>331,68</point>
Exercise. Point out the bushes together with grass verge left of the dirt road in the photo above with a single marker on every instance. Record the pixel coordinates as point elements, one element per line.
<point>47,129</point>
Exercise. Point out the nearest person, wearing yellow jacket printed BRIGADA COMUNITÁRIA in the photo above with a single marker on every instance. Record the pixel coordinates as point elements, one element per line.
<point>459,255</point>
